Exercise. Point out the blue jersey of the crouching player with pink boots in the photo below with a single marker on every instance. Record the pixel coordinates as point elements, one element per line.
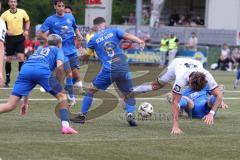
<point>46,57</point>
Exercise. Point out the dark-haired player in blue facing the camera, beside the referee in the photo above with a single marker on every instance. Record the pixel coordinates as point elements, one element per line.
<point>64,24</point>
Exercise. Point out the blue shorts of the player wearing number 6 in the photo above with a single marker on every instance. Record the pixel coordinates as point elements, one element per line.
<point>122,80</point>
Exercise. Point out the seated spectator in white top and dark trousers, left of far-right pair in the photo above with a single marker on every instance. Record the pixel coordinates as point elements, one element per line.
<point>225,60</point>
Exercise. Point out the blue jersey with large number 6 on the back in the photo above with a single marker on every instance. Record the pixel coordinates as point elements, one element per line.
<point>106,44</point>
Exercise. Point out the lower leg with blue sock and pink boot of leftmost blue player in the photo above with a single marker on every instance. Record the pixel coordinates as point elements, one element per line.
<point>64,114</point>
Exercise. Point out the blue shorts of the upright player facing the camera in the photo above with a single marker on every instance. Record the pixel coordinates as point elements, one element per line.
<point>71,61</point>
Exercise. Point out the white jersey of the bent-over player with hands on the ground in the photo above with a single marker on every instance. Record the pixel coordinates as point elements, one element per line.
<point>180,69</point>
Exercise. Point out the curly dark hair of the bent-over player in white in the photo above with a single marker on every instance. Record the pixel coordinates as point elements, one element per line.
<point>197,81</point>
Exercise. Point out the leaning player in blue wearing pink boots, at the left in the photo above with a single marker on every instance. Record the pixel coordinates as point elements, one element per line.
<point>38,69</point>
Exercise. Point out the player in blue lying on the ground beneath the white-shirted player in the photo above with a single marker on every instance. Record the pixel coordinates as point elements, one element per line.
<point>197,104</point>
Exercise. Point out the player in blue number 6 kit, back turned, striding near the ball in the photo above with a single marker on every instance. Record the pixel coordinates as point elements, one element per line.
<point>106,44</point>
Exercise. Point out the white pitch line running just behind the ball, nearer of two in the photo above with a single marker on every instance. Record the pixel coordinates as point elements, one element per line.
<point>153,98</point>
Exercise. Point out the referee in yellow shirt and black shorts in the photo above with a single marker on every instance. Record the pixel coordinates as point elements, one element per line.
<point>18,24</point>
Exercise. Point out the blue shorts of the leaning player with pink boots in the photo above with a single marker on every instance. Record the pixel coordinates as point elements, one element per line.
<point>31,75</point>
